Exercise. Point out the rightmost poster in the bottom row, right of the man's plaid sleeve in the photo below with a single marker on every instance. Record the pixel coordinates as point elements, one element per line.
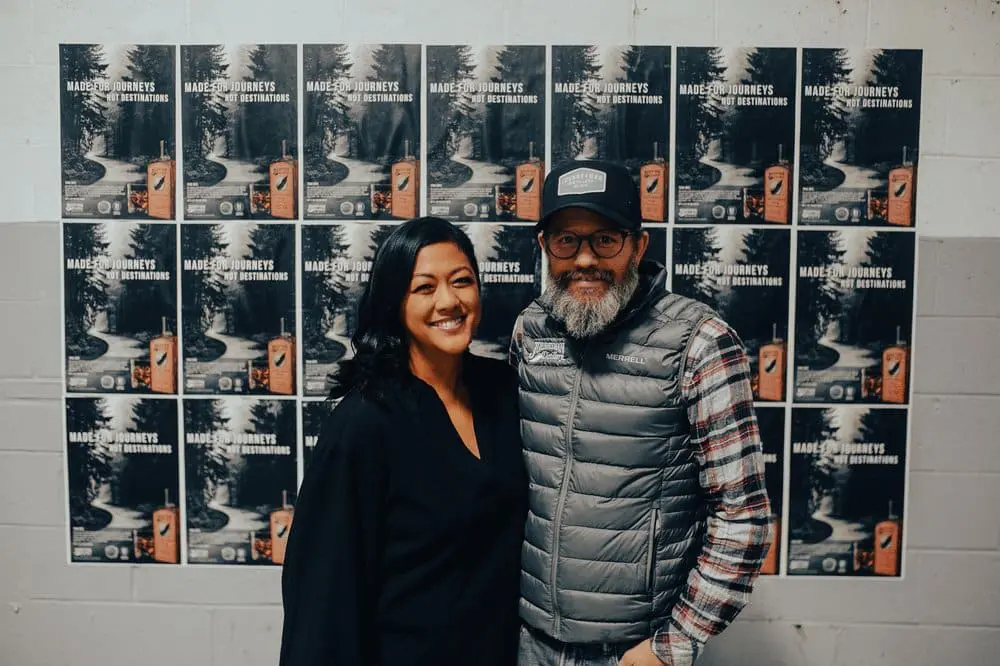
<point>848,472</point>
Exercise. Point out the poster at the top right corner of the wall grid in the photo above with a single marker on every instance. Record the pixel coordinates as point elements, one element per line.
<point>859,137</point>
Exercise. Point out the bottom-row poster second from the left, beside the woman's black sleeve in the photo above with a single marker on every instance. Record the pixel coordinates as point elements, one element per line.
<point>241,476</point>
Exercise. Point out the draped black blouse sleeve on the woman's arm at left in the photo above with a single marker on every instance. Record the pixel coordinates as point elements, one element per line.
<point>330,577</point>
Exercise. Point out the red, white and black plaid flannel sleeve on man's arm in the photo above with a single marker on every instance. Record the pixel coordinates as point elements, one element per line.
<point>716,386</point>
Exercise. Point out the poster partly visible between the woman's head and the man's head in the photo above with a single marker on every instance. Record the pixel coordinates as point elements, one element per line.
<point>510,277</point>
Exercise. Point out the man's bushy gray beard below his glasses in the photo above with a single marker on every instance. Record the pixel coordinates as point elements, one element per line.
<point>585,319</point>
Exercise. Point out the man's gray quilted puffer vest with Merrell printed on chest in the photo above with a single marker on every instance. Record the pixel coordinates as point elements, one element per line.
<point>615,520</point>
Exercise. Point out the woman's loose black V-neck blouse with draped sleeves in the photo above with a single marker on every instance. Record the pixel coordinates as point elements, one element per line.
<point>405,547</point>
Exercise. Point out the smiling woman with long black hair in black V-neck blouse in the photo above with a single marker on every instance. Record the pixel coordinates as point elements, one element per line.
<point>406,543</point>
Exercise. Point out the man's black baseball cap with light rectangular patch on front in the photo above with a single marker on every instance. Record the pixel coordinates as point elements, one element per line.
<point>606,188</point>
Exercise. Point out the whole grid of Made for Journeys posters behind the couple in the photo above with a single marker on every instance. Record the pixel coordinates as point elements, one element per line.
<point>223,205</point>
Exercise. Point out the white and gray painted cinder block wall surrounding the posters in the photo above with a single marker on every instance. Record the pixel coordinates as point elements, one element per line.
<point>947,611</point>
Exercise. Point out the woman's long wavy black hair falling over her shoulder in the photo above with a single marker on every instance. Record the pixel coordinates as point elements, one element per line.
<point>381,350</point>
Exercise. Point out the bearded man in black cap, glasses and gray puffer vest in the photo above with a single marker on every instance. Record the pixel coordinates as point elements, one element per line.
<point>649,518</point>
